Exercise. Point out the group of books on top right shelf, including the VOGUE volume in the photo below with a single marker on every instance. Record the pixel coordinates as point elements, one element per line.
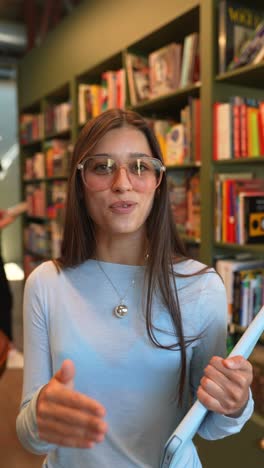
<point>240,34</point>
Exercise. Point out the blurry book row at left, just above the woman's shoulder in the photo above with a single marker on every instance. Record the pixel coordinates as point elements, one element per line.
<point>43,240</point>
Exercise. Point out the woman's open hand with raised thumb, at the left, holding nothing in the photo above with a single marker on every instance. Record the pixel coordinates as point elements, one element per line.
<point>66,417</point>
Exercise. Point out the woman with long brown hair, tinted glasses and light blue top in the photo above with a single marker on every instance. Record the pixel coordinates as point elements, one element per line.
<point>119,330</point>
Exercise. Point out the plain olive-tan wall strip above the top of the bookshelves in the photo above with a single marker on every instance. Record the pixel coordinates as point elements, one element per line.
<point>95,30</point>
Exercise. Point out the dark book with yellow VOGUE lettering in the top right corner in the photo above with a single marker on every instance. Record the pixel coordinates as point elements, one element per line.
<point>236,22</point>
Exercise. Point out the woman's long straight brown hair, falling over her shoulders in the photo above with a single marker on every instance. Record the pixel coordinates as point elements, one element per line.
<point>164,244</point>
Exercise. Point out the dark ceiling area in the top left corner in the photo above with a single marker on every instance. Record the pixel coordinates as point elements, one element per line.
<point>25,23</point>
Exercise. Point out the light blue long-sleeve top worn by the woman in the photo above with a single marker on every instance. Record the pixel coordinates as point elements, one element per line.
<point>69,316</point>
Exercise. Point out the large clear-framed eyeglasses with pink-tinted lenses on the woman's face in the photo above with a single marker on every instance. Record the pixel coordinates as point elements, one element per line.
<point>99,172</point>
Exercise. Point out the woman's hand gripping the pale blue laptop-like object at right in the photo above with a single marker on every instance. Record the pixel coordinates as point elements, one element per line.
<point>224,388</point>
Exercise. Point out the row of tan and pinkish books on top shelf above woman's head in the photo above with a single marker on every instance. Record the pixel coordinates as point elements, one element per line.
<point>164,70</point>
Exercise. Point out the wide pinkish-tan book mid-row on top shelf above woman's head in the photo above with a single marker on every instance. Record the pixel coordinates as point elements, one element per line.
<point>165,69</point>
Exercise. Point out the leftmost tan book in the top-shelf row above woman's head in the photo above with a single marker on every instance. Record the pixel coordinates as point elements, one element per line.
<point>137,69</point>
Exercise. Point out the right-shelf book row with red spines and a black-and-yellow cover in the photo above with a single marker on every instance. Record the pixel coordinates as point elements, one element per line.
<point>239,214</point>
